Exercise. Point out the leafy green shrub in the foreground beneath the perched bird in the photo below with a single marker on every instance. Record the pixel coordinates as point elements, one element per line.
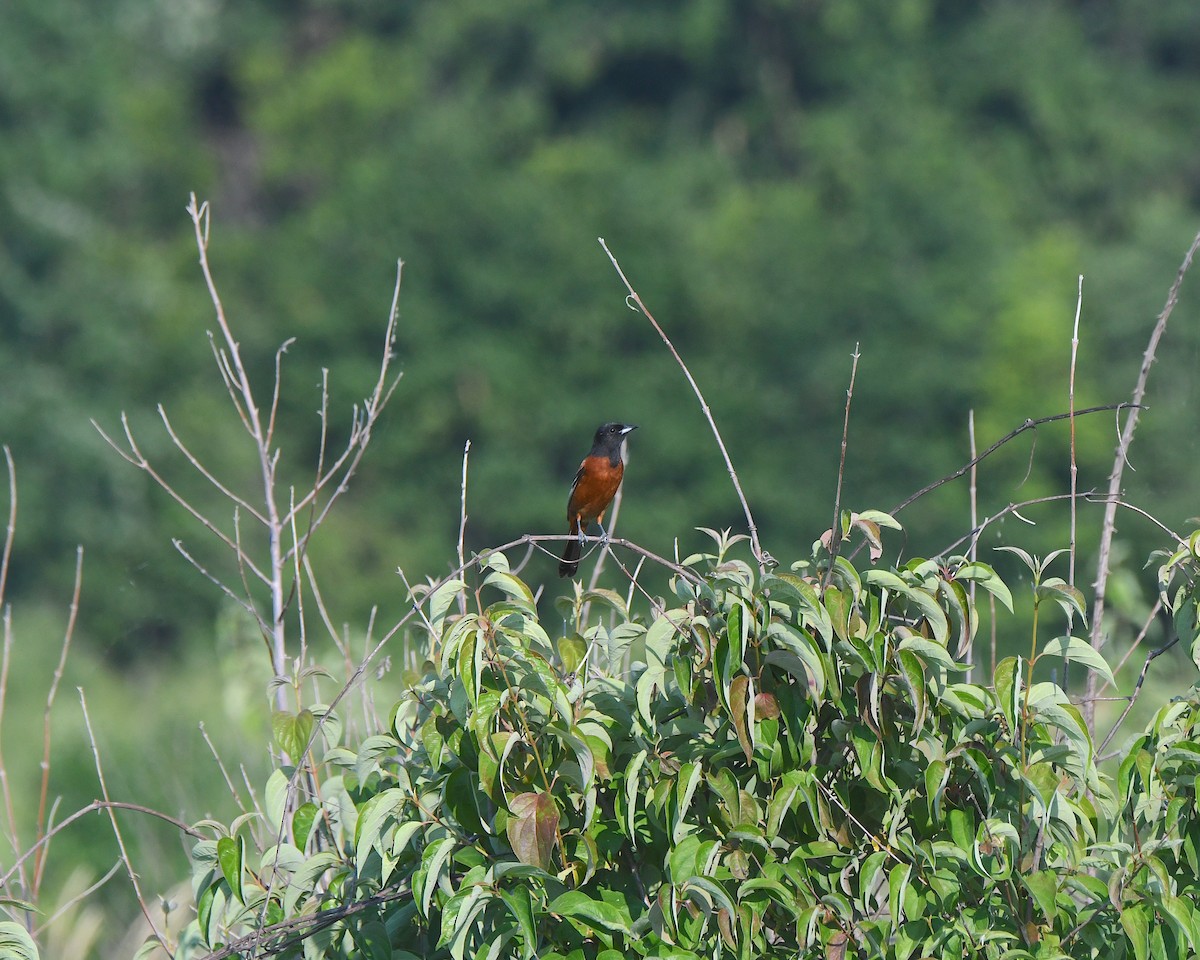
<point>767,766</point>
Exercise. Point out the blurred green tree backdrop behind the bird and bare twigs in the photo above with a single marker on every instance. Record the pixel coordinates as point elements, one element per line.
<point>781,181</point>
